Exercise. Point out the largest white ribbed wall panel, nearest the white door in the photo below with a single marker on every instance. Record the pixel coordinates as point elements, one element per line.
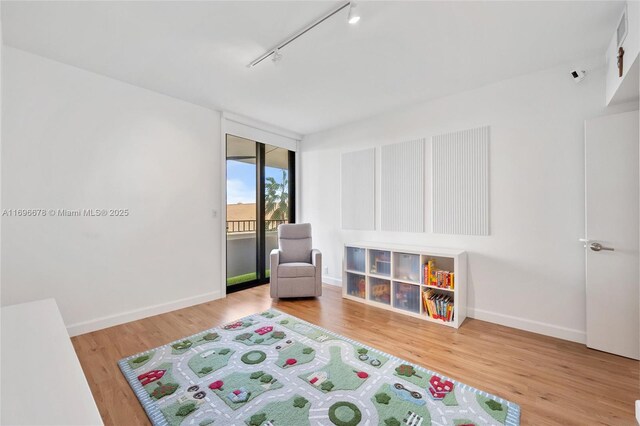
<point>460,182</point>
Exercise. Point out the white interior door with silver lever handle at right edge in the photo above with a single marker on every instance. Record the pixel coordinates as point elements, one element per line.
<point>612,234</point>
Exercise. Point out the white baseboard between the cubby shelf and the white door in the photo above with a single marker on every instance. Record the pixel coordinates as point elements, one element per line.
<point>570,334</point>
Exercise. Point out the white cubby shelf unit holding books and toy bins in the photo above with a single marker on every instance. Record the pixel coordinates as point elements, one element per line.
<point>392,277</point>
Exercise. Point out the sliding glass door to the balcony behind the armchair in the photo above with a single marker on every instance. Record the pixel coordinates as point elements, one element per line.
<point>260,196</point>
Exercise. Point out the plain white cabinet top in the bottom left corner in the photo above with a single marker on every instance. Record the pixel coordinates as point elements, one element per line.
<point>42,380</point>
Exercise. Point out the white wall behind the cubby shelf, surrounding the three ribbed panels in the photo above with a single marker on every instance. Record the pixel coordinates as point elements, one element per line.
<point>529,273</point>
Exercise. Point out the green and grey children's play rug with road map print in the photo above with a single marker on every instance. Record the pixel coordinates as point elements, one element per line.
<point>275,369</point>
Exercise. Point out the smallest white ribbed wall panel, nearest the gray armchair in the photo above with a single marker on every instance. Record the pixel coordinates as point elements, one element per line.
<point>358,189</point>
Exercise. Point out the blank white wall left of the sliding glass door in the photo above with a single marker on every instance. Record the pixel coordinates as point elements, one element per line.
<point>72,139</point>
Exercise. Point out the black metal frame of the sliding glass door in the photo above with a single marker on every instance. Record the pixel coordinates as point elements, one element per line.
<point>261,256</point>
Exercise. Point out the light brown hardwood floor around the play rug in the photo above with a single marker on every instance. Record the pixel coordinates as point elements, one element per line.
<point>555,382</point>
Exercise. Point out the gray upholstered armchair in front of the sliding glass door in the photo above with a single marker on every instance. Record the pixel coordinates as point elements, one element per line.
<point>296,268</point>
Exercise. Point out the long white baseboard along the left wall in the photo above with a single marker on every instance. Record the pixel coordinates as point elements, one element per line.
<point>136,314</point>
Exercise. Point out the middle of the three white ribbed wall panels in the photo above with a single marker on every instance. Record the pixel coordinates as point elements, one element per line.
<point>402,187</point>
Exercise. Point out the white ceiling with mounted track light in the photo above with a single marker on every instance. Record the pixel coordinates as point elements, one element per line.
<point>400,52</point>
